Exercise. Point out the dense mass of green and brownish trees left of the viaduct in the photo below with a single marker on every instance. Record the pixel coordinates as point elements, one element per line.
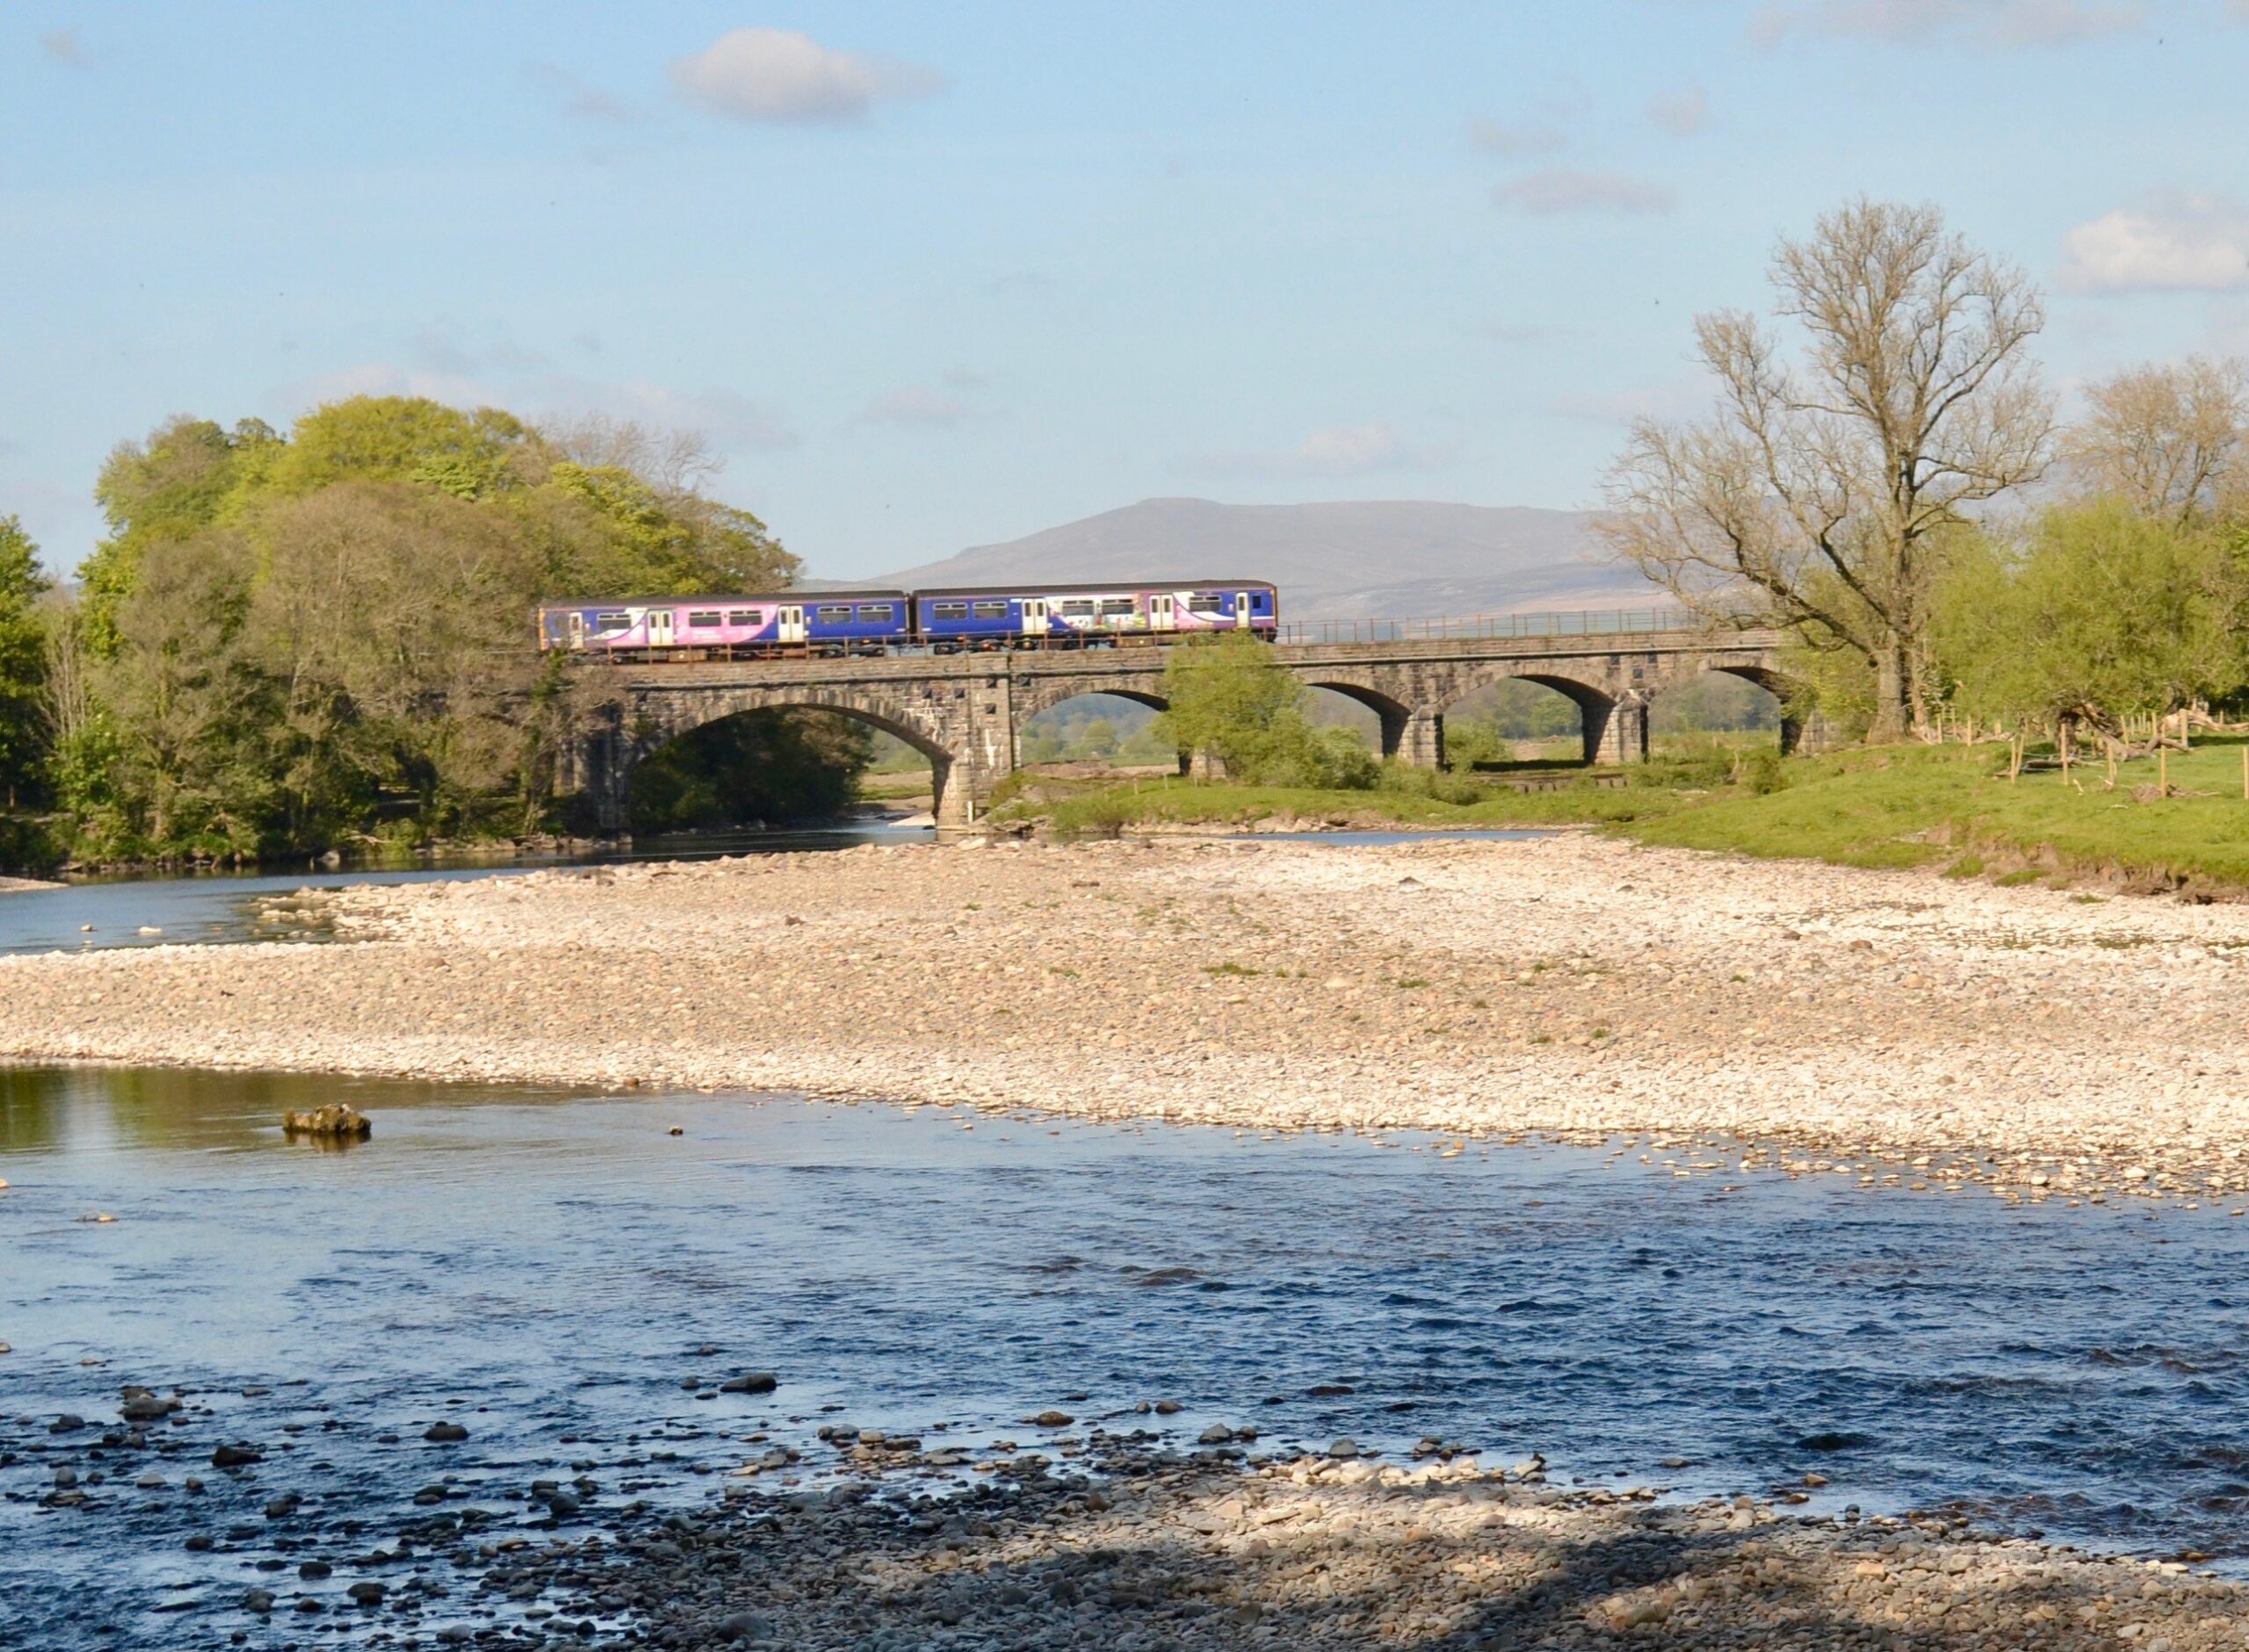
<point>323,639</point>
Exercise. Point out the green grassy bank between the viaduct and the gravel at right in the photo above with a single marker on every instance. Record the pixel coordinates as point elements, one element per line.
<point>1902,806</point>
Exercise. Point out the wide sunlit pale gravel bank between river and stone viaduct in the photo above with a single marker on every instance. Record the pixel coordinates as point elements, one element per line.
<point>1881,1024</point>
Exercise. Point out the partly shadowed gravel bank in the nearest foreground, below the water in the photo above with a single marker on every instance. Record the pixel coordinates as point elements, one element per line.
<point>1164,1552</point>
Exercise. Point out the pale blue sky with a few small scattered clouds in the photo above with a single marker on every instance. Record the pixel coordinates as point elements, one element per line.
<point>946,275</point>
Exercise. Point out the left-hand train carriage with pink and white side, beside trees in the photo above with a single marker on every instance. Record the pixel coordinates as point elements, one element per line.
<point>732,626</point>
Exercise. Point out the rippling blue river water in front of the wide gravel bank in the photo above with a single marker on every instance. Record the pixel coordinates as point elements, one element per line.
<point>550,1269</point>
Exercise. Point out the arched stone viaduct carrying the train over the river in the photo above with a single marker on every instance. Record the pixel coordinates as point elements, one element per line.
<point>966,711</point>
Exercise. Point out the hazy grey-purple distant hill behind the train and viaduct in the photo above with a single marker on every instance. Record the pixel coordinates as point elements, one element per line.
<point>1335,563</point>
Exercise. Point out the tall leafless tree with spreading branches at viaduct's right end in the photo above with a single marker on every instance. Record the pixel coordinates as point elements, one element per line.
<point>1818,493</point>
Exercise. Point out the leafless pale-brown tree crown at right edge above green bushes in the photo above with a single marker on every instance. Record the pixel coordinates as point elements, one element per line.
<point>2167,437</point>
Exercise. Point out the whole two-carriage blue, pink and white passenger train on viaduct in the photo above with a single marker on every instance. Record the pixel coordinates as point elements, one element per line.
<point>952,621</point>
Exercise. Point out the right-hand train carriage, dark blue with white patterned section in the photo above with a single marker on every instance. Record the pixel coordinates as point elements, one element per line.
<point>1090,615</point>
